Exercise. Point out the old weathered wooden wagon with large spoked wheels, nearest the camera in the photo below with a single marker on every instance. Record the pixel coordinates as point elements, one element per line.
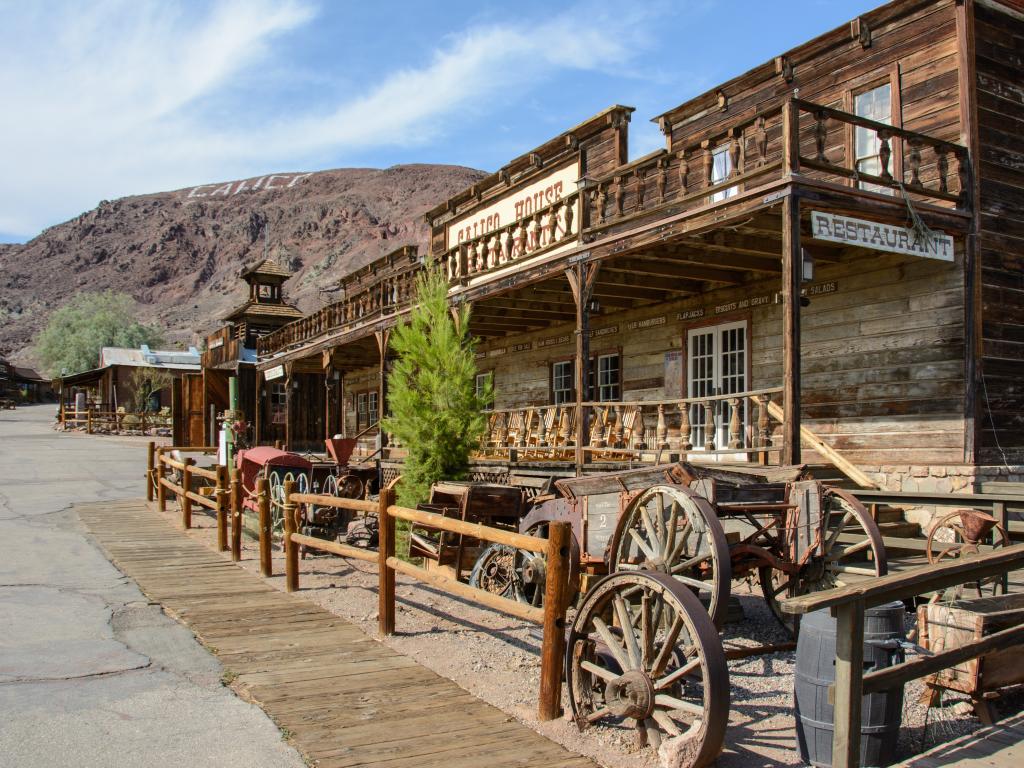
<point>669,541</point>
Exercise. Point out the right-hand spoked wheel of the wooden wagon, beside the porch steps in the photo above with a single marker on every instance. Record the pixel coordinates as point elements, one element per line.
<point>851,549</point>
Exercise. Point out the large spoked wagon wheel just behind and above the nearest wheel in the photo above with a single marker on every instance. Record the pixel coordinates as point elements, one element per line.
<point>672,530</point>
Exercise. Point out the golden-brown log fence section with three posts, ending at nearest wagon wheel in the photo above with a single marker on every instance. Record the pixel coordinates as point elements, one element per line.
<point>556,548</point>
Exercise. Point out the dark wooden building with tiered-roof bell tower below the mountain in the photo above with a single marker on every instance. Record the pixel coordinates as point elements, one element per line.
<point>232,353</point>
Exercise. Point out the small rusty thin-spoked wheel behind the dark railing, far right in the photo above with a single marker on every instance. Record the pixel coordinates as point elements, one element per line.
<point>955,537</point>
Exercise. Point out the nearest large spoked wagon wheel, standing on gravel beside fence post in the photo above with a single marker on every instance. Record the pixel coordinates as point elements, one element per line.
<point>643,651</point>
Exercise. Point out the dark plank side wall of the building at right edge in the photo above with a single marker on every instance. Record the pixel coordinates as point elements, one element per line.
<point>1000,62</point>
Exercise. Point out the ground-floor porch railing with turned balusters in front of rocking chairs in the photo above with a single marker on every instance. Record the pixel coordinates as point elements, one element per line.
<point>728,425</point>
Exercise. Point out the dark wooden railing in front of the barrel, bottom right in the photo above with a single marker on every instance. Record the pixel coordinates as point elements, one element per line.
<point>849,605</point>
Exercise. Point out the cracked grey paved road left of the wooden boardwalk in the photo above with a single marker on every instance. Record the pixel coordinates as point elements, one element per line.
<point>91,673</point>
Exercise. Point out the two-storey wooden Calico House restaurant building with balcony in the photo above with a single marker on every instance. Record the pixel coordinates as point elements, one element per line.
<point>824,266</point>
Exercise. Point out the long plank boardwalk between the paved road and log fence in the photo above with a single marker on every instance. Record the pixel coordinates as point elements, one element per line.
<point>344,698</point>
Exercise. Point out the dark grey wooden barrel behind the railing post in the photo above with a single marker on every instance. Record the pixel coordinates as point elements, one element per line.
<point>817,671</point>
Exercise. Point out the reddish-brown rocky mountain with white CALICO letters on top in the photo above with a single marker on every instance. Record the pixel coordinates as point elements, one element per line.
<point>180,253</point>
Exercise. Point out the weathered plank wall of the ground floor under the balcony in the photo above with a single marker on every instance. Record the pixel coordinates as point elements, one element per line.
<point>883,357</point>
